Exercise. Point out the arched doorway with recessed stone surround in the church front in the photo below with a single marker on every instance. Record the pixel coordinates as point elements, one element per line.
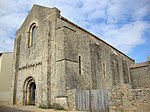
<point>29,91</point>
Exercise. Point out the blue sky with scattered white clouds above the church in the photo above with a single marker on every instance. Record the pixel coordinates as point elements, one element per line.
<point>125,24</point>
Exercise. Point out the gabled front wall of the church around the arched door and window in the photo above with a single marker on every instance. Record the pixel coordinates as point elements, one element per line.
<point>35,61</point>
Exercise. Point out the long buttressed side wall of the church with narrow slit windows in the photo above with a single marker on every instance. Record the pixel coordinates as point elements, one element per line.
<point>74,42</point>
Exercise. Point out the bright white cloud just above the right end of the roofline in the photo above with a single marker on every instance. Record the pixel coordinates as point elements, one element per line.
<point>128,36</point>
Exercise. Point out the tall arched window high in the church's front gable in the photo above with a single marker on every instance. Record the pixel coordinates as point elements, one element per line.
<point>32,35</point>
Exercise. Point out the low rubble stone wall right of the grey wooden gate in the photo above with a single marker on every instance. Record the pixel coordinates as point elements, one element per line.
<point>125,99</point>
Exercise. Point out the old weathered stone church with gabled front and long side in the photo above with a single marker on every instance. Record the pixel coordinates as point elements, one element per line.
<point>54,58</point>
